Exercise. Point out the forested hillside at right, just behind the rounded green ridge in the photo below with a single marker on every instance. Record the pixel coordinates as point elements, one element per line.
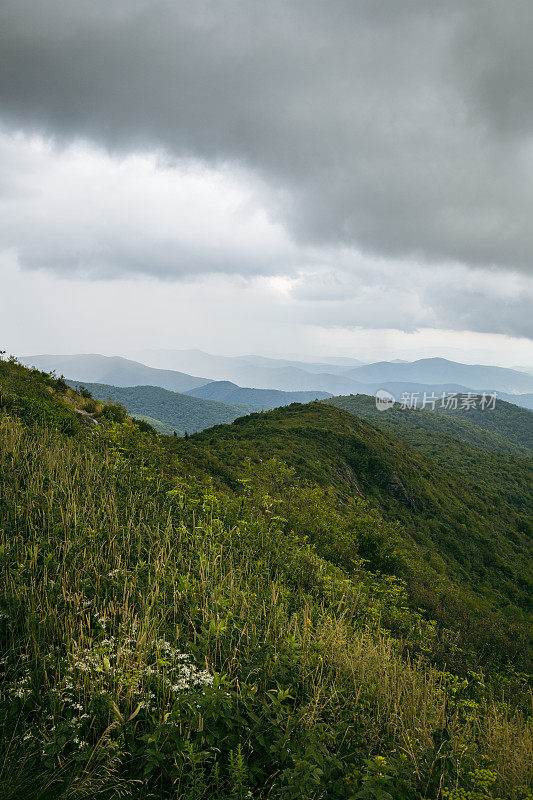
<point>505,429</point>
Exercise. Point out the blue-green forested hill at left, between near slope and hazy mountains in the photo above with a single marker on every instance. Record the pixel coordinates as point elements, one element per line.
<point>167,411</point>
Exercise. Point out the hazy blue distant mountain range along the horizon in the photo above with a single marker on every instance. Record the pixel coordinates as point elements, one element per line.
<point>396,377</point>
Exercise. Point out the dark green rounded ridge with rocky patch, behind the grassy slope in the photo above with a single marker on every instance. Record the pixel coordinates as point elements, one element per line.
<point>466,536</point>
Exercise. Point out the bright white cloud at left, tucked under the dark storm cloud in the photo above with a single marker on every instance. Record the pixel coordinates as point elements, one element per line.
<point>77,210</point>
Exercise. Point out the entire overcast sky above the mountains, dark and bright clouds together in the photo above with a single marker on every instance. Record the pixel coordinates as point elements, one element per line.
<point>297,177</point>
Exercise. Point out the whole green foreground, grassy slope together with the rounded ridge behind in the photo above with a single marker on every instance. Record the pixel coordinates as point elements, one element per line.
<point>242,614</point>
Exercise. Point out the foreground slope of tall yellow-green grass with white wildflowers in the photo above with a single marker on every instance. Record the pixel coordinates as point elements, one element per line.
<point>115,575</point>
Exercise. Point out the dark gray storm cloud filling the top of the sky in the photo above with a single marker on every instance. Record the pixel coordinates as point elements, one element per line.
<point>402,129</point>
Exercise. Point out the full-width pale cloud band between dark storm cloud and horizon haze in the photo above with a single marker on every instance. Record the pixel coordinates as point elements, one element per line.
<point>78,212</point>
